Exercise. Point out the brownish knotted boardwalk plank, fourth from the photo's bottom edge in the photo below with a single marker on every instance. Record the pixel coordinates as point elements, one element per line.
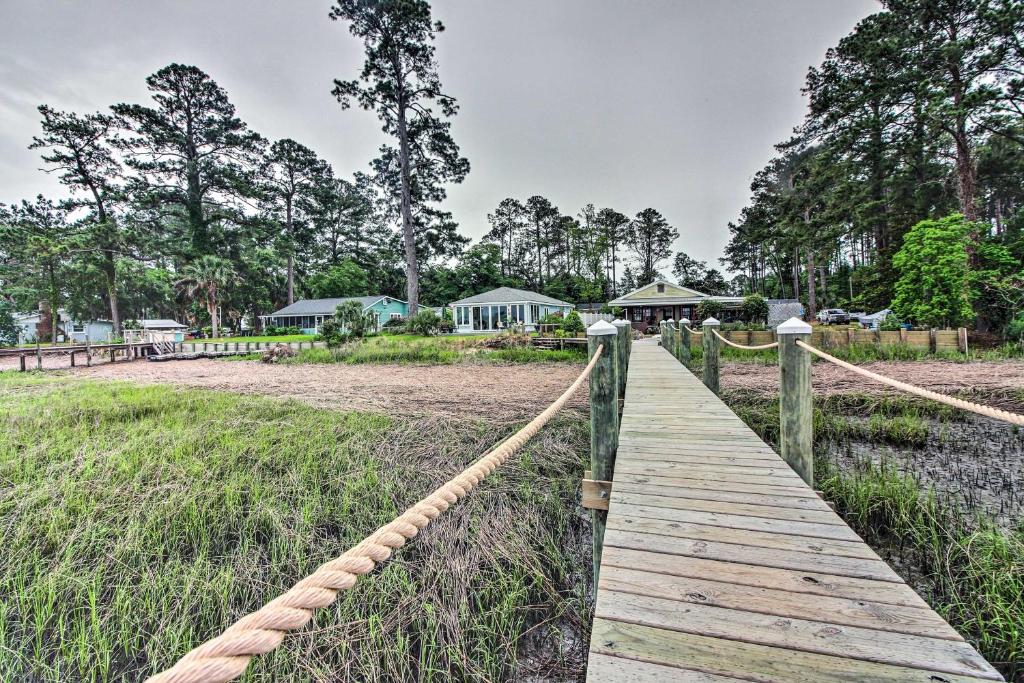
<point>864,613</point>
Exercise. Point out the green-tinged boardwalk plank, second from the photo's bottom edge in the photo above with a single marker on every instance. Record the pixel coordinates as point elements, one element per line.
<point>749,661</point>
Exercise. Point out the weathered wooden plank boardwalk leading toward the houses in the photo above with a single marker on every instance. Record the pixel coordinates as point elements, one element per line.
<point>721,565</point>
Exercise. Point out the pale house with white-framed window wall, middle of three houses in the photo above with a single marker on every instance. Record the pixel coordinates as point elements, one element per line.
<point>497,310</point>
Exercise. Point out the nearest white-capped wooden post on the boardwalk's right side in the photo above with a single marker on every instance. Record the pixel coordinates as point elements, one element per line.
<point>796,406</point>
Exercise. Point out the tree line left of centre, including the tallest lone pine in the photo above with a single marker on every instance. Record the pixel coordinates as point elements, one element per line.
<point>179,208</point>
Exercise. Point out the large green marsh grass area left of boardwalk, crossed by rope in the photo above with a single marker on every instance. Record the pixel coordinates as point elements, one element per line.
<point>139,522</point>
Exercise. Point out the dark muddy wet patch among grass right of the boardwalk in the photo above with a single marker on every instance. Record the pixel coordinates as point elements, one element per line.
<point>976,463</point>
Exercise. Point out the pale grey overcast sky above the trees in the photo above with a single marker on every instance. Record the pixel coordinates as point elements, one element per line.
<point>669,104</point>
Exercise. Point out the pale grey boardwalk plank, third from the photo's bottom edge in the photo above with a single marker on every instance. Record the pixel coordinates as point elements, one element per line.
<point>795,634</point>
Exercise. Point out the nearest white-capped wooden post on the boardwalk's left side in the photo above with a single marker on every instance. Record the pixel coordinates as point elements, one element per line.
<point>604,421</point>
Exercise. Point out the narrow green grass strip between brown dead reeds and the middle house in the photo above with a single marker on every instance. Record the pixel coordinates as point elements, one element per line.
<point>431,351</point>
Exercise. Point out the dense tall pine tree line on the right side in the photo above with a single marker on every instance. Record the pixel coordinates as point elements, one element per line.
<point>916,116</point>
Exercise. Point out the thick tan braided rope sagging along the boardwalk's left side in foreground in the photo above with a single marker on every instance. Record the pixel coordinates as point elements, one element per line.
<point>227,657</point>
